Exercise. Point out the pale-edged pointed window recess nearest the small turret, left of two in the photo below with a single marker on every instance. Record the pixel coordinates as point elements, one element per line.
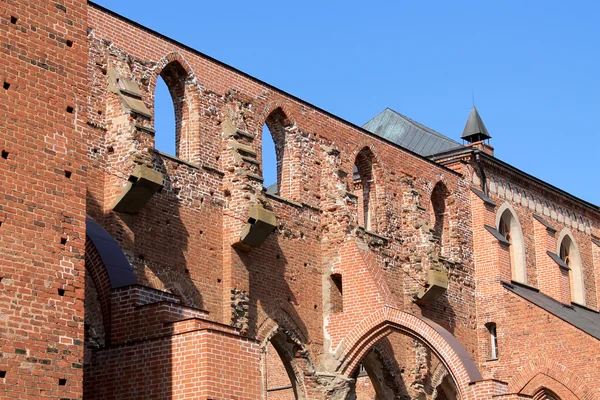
<point>509,226</point>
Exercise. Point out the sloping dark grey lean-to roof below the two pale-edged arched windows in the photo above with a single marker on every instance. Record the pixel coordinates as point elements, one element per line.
<point>580,317</point>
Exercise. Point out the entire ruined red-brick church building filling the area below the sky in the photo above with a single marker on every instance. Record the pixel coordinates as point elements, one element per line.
<point>370,272</point>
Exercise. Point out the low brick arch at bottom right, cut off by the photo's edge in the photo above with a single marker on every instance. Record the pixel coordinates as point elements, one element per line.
<point>544,372</point>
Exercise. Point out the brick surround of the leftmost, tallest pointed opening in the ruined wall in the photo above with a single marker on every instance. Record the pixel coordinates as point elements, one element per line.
<point>176,73</point>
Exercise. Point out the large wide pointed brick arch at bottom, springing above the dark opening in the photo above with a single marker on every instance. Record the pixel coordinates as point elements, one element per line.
<point>447,348</point>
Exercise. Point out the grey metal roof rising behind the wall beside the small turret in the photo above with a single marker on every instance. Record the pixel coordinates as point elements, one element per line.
<point>409,134</point>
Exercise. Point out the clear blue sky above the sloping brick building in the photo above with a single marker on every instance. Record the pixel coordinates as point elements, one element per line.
<point>533,66</point>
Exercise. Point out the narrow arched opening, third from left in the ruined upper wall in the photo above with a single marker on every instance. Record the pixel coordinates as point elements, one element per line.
<point>365,189</point>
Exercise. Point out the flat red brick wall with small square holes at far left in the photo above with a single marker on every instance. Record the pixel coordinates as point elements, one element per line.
<point>42,74</point>
